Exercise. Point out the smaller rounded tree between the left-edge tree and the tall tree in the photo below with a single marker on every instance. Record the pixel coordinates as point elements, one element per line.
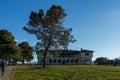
<point>26,52</point>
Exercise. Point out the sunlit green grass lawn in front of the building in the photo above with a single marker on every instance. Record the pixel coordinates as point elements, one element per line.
<point>66,72</point>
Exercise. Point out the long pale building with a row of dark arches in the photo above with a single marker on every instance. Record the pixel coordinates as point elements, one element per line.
<point>66,57</point>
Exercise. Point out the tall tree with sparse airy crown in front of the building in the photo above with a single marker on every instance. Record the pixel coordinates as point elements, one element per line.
<point>49,29</point>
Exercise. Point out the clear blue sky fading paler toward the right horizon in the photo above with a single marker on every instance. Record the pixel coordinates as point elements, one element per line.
<point>95,23</point>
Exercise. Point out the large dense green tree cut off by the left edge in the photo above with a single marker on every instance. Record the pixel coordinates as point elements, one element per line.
<point>8,47</point>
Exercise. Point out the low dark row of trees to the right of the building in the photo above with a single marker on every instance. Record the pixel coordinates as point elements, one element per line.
<point>106,61</point>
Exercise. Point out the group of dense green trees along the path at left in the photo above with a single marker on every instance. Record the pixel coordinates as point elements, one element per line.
<point>11,52</point>
